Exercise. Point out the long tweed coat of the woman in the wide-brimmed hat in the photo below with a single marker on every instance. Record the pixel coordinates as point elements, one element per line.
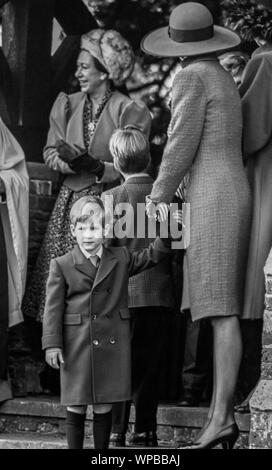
<point>205,139</point>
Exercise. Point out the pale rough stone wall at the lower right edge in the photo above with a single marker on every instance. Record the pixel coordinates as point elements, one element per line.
<point>261,401</point>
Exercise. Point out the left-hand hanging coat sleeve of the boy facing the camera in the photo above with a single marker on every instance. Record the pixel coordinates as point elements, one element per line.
<point>54,308</point>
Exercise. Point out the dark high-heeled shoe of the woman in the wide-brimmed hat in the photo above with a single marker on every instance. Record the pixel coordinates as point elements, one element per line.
<point>226,437</point>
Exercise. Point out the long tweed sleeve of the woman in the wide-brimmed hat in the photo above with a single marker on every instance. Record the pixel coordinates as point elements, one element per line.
<point>184,134</point>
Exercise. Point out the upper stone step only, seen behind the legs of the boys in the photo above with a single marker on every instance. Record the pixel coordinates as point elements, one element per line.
<point>168,414</point>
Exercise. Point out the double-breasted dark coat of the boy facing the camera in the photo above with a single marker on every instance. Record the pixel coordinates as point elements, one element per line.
<point>87,315</point>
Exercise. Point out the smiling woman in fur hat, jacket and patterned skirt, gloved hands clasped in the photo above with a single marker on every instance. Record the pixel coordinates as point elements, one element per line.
<point>81,125</point>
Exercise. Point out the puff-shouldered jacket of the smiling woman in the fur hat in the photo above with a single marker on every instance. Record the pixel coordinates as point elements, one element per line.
<point>66,122</point>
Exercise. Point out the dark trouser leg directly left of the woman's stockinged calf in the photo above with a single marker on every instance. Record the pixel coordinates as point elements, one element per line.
<point>197,365</point>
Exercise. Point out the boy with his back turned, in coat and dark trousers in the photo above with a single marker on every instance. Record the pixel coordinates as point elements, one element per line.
<point>150,295</point>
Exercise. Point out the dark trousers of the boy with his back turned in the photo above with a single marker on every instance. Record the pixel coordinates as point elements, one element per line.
<point>148,330</point>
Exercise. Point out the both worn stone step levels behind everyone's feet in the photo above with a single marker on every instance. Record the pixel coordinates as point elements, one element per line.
<point>45,417</point>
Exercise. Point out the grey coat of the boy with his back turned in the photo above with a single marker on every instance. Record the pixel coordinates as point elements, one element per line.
<point>154,286</point>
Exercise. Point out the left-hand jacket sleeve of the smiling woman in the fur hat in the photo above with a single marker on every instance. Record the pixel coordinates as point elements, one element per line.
<point>58,121</point>
